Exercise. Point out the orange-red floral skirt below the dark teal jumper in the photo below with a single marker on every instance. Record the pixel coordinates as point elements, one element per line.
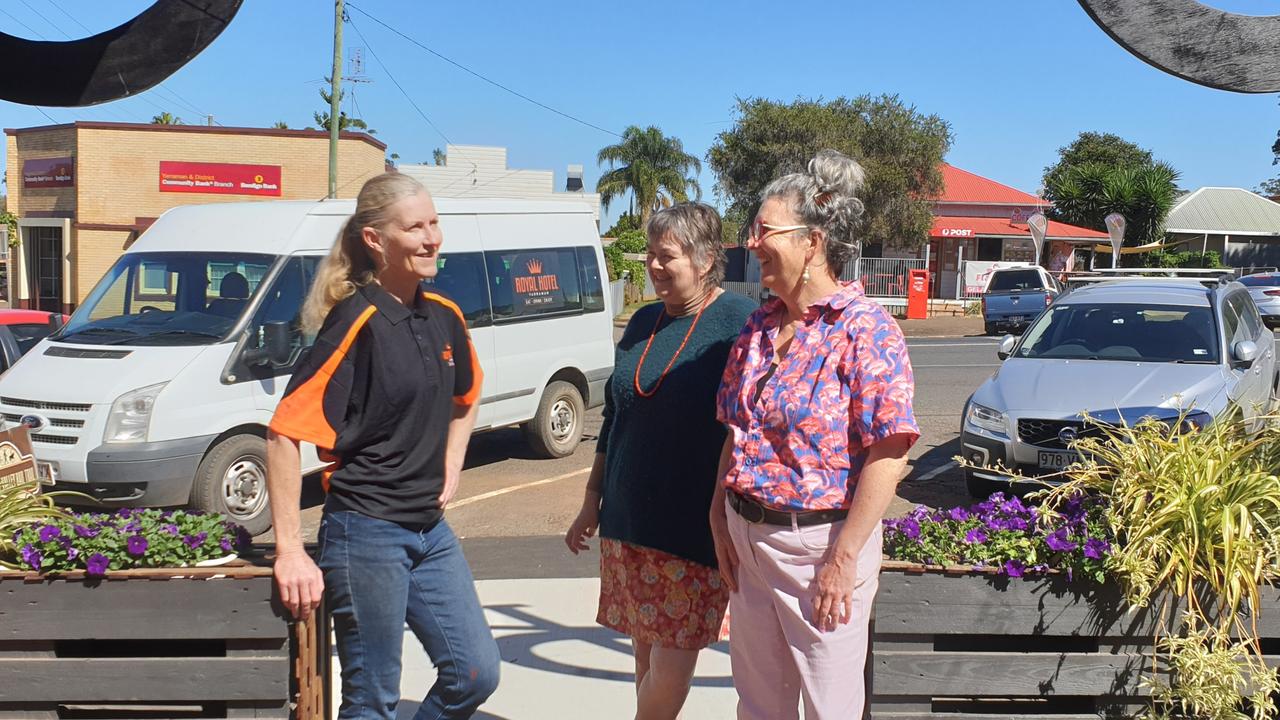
<point>660,599</point>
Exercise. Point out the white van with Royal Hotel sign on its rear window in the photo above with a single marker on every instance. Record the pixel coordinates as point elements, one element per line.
<point>159,389</point>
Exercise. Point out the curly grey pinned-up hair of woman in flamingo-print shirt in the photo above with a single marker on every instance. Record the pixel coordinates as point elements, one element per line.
<point>826,198</point>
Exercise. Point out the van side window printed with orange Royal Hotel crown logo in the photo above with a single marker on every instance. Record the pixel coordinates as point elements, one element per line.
<point>528,284</point>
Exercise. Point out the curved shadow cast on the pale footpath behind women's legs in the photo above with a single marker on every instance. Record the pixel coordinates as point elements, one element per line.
<point>527,632</point>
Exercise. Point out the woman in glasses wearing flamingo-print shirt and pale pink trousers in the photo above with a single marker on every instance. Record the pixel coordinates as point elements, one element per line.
<point>817,391</point>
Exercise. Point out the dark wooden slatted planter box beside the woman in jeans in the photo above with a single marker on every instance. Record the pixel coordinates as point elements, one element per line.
<point>188,642</point>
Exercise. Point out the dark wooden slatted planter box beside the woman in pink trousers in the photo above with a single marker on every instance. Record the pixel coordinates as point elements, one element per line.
<point>957,645</point>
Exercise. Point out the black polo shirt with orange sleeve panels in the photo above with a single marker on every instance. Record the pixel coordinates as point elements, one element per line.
<point>376,394</point>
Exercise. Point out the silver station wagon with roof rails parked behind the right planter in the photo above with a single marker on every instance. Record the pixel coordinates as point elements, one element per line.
<point>1121,352</point>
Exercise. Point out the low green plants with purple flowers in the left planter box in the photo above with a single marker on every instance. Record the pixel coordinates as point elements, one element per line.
<point>129,539</point>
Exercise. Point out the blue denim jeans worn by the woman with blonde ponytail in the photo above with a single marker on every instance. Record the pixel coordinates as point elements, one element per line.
<point>381,576</point>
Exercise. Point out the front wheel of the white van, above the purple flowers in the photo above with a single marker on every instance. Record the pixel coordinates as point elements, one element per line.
<point>232,481</point>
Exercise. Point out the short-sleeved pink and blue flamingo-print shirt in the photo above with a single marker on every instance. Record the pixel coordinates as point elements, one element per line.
<point>802,434</point>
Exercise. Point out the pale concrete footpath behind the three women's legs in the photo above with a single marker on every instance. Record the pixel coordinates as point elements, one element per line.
<point>557,663</point>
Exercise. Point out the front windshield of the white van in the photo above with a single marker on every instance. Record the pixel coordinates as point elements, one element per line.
<point>166,299</point>
